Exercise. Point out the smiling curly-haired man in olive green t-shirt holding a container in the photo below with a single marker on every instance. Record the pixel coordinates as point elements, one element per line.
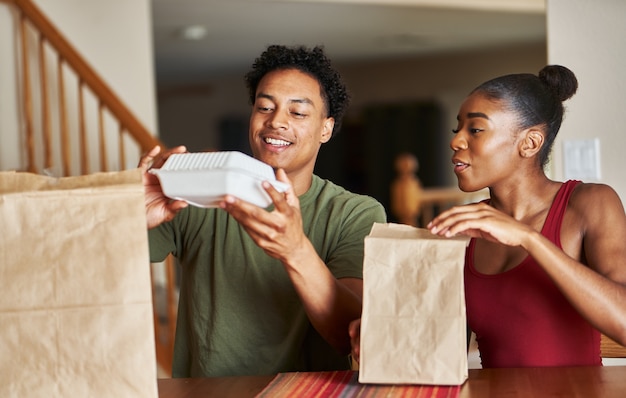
<point>270,290</point>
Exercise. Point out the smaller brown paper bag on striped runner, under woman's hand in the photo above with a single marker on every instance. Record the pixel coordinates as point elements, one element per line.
<point>413,328</point>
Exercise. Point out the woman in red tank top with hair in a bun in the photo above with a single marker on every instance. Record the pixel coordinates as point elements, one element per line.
<point>545,269</point>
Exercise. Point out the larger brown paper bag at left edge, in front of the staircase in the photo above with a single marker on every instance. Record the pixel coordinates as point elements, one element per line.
<point>76,308</point>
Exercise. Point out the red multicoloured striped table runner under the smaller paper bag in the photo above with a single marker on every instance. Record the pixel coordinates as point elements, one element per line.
<point>346,384</point>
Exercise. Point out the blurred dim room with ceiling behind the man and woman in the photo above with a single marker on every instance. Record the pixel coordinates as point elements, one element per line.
<point>408,65</point>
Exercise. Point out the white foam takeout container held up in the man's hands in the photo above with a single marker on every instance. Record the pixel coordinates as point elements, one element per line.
<point>203,179</point>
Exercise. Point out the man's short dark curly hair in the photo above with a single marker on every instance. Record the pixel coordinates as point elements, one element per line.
<point>311,61</point>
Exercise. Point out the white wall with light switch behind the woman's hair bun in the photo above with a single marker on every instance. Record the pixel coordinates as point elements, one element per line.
<point>589,37</point>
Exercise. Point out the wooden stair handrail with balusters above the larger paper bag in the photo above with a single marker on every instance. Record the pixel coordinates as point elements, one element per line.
<point>87,80</point>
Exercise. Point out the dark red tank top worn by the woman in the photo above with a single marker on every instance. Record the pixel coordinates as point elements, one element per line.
<point>520,317</point>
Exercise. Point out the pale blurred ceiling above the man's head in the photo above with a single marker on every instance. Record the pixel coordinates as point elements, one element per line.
<point>237,31</point>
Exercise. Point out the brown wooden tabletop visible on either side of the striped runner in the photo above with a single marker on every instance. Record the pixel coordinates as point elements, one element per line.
<point>584,382</point>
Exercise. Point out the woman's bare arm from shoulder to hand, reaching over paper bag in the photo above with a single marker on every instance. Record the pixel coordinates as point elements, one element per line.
<point>595,285</point>
